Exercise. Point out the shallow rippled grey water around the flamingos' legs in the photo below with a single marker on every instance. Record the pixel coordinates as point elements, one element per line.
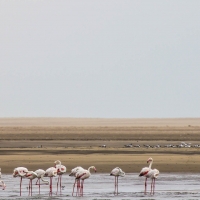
<point>101,186</point>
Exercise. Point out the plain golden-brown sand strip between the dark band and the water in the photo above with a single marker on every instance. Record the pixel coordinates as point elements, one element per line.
<point>130,163</point>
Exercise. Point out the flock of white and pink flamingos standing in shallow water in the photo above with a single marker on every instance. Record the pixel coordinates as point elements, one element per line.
<point>80,175</point>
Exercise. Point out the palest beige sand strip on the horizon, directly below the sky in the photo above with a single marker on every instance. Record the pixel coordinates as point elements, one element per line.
<point>100,122</point>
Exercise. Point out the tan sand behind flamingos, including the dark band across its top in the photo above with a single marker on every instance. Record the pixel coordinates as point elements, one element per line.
<point>166,160</point>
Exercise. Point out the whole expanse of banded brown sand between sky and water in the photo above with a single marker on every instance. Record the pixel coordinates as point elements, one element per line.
<point>76,142</point>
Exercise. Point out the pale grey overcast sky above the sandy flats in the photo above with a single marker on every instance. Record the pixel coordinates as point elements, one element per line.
<point>103,58</point>
